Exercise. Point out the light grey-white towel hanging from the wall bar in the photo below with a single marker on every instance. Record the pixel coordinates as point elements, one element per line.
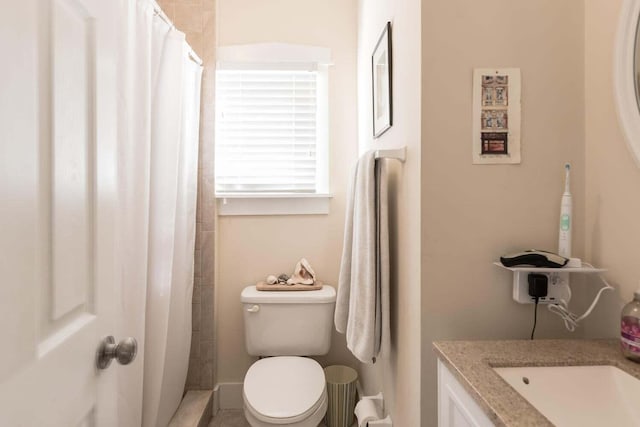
<point>362,306</point>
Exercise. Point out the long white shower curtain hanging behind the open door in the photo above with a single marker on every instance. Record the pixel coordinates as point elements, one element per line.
<point>159,110</point>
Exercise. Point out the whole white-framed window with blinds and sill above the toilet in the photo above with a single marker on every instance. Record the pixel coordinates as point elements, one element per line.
<point>271,130</point>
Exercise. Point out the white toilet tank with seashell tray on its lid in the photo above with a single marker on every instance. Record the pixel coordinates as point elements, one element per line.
<point>288,323</point>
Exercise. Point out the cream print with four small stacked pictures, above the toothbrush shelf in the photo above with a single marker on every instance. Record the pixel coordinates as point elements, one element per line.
<point>496,116</point>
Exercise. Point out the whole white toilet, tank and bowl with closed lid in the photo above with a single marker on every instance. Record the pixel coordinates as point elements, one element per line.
<point>286,389</point>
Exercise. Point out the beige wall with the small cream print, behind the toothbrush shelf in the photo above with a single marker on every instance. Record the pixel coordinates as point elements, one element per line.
<point>471,214</point>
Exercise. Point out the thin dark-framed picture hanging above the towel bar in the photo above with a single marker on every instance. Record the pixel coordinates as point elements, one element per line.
<point>381,82</point>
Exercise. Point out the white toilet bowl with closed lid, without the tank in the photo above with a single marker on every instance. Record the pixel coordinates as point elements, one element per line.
<point>285,390</point>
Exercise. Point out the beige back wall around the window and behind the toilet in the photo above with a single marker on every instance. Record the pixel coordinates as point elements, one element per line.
<point>250,248</point>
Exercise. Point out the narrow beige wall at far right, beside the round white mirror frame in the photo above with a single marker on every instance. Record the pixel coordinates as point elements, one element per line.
<point>613,207</point>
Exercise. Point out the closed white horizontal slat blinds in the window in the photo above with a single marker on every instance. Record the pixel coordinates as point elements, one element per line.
<point>266,132</point>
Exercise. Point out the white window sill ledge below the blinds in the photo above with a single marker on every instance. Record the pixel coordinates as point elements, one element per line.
<point>273,204</point>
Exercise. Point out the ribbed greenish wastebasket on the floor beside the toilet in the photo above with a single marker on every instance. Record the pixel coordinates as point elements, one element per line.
<point>341,391</point>
